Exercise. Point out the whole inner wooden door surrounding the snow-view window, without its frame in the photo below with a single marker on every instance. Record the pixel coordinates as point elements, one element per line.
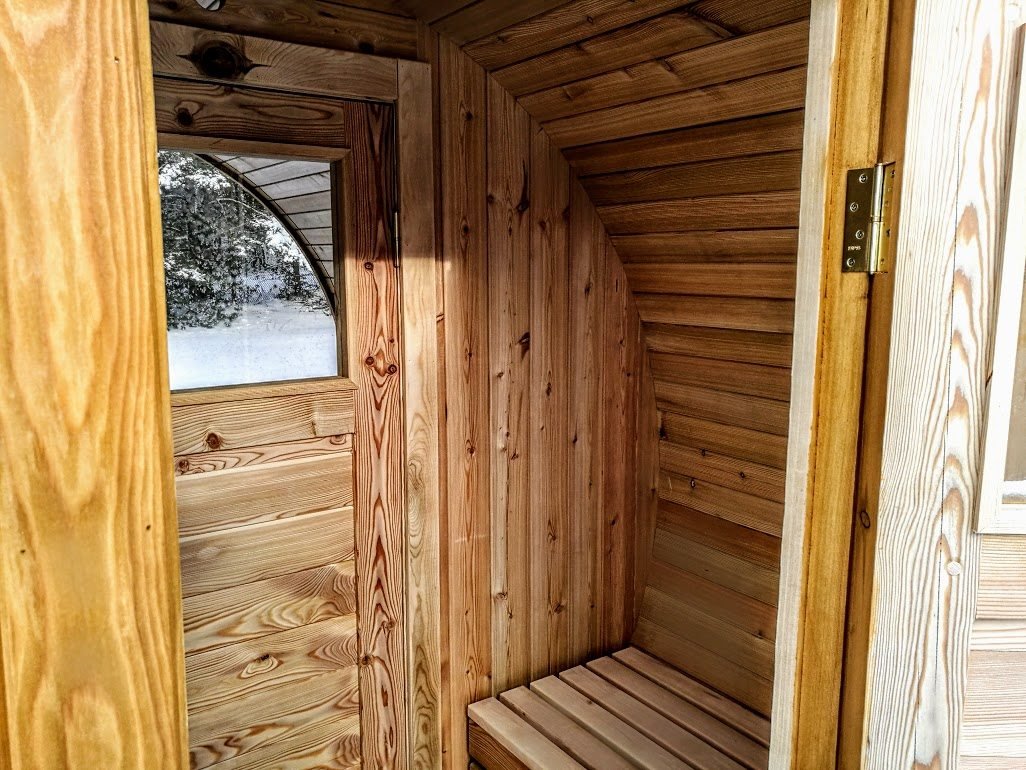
<point>292,572</point>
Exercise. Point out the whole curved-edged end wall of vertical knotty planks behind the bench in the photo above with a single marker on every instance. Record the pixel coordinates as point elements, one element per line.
<point>542,351</point>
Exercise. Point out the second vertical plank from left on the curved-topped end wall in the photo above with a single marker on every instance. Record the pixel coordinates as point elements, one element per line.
<point>510,217</point>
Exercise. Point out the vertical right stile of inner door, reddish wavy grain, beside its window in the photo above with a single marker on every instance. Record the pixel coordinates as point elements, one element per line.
<point>375,362</point>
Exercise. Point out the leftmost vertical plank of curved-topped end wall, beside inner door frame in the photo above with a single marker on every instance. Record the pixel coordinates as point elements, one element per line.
<point>466,565</point>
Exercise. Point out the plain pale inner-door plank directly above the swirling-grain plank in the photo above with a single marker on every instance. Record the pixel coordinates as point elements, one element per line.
<point>265,551</point>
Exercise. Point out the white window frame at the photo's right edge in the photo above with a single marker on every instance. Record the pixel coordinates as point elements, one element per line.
<point>994,516</point>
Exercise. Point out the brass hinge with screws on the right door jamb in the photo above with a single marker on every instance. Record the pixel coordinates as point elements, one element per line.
<point>869,226</point>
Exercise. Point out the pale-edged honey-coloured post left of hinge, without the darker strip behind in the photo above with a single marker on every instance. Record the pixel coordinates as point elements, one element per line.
<point>843,126</point>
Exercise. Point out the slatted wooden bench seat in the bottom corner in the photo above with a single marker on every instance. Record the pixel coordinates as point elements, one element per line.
<point>626,711</point>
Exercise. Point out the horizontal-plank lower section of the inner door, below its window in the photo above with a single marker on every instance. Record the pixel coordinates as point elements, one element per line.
<point>266,493</point>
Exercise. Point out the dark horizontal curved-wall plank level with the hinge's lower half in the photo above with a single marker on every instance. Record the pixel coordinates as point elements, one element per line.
<point>712,246</point>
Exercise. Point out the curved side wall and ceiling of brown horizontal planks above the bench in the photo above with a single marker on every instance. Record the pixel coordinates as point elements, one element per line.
<point>684,122</point>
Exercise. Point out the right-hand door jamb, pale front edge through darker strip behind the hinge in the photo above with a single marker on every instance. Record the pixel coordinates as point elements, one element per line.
<point>855,117</point>
